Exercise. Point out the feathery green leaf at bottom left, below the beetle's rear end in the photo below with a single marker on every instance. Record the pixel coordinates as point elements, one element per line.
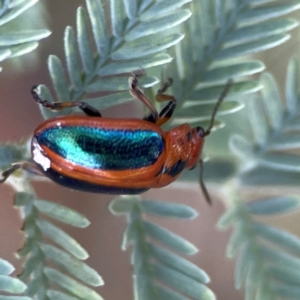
<point>67,271</point>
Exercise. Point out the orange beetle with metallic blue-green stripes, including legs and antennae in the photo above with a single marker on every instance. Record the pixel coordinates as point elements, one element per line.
<point>115,156</point>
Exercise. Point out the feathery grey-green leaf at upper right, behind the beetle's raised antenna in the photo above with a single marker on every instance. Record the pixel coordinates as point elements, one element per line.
<point>217,36</point>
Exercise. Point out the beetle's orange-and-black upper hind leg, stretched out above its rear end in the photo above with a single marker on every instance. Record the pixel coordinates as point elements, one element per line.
<point>86,108</point>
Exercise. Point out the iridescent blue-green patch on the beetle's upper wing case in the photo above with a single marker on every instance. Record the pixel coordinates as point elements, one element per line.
<point>105,149</point>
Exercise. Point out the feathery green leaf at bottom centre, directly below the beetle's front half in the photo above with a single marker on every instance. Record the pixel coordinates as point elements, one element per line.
<point>154,265</point>
